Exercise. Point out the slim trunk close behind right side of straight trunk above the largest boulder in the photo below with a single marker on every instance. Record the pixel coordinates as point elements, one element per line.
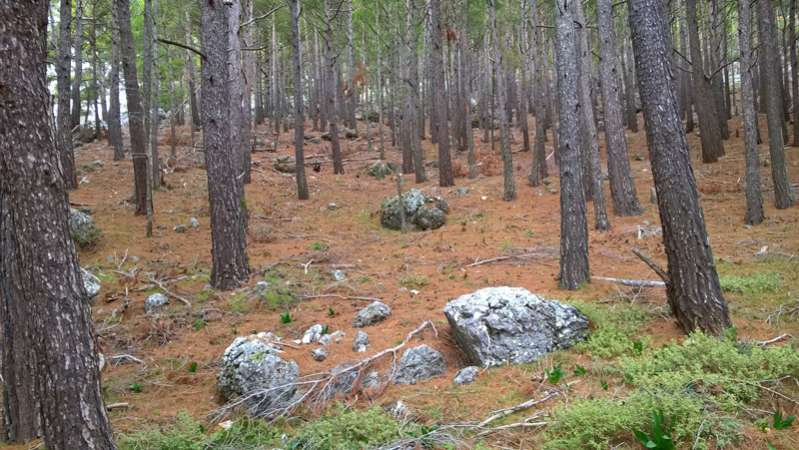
<point>591,146</point>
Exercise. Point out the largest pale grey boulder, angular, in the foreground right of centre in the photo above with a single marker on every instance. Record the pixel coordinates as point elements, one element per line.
<point>506,325</point>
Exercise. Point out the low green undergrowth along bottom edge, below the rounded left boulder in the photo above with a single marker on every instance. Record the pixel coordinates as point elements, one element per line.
<point>339,429</point>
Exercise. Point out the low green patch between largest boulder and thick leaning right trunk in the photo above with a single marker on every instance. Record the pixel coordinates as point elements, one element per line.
<point>614,330</point>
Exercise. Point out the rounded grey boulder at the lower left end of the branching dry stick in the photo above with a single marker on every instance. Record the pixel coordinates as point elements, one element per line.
<point>252,367</point>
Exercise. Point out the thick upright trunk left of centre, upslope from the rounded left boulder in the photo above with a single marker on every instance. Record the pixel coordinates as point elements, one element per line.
<point>220,110</point>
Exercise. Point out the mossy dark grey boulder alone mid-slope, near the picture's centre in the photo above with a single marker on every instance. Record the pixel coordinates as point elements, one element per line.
<point>421,211</point>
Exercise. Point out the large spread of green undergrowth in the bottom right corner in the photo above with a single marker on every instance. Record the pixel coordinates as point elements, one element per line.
<point>701,385</point>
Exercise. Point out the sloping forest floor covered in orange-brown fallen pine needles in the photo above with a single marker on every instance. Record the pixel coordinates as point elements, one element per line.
<point>297,244</point>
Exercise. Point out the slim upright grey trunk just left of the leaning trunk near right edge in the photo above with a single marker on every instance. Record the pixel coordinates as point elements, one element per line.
<point>754,198</point>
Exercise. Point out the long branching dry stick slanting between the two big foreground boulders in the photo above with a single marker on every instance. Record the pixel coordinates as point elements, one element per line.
<point>319,384</point>
